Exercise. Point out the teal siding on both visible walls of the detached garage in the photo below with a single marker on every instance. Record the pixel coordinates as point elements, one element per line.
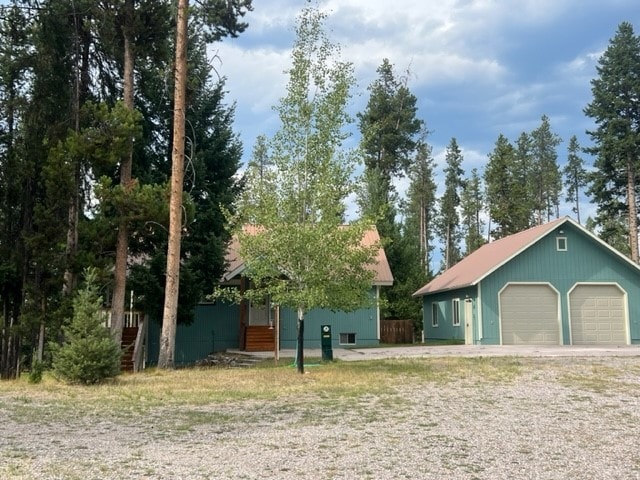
<point>584,261</point>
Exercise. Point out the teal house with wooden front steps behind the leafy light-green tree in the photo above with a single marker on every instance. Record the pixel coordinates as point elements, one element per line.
<point>220,326</point>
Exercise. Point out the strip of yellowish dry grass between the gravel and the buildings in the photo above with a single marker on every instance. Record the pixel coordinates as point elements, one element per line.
<point>329,383</point>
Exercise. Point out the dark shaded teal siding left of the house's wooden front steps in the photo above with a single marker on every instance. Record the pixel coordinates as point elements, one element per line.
<point>215,328</point>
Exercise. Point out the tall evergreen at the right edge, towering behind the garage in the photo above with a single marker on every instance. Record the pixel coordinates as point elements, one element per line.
<point>616,111</point>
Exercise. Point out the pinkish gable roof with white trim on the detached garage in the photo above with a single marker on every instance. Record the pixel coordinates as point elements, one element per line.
<point>491,256</point>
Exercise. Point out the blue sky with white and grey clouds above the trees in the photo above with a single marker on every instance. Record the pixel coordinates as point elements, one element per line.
<point>479,68</point>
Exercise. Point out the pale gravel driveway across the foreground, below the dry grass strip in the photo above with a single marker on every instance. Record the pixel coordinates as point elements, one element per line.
<point>559,418</point>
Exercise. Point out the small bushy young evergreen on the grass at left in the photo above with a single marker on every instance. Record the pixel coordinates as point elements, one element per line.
<point>89,354</point>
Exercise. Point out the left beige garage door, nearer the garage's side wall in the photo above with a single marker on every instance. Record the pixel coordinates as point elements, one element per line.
<point>529,315</point>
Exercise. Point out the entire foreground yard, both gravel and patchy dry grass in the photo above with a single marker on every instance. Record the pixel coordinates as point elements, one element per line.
<point>427,411</point>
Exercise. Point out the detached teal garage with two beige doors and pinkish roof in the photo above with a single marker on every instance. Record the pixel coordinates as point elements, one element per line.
<point>554,284</point>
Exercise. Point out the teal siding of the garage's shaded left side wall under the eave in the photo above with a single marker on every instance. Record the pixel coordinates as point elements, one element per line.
<point>444,300</point>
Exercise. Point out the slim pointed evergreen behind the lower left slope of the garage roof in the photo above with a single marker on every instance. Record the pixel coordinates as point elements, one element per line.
<point>449,219</point>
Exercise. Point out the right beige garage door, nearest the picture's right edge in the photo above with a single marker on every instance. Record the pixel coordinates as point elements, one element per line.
<point>597,315</point>
